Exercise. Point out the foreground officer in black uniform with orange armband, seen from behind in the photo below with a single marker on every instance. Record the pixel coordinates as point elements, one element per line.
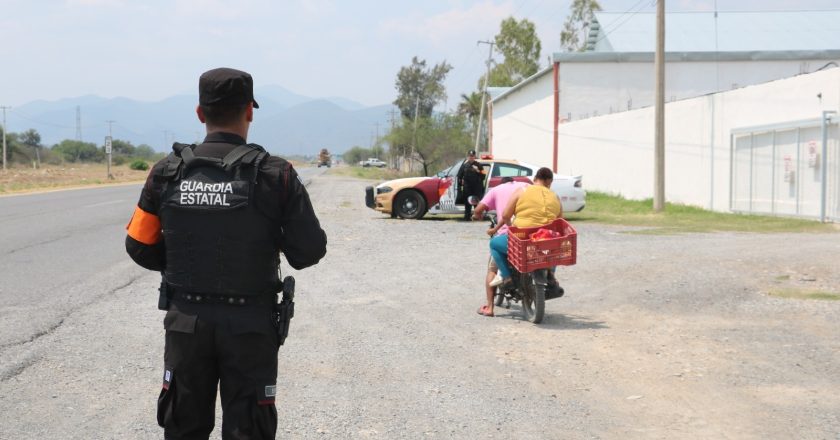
<point>213,219</point>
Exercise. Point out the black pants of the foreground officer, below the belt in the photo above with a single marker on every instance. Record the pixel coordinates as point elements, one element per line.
<point>234,347</point>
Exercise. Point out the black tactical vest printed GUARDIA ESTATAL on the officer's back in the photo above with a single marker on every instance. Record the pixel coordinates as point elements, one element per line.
<point>217,240</point>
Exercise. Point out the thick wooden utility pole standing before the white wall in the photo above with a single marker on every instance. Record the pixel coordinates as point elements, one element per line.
<point>659,136</point>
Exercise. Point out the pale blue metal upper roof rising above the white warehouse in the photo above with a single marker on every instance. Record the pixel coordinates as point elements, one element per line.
<point>724,31</point>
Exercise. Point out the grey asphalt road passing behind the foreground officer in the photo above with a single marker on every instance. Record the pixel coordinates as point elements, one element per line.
<point>60,251</point>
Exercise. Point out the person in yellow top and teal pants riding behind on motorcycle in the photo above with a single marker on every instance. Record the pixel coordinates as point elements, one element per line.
<point>535,205</point>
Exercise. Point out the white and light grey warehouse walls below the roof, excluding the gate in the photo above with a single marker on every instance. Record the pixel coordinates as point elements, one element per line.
<point>614,152</point>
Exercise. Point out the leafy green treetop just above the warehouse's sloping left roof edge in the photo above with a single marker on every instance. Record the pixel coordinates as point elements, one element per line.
<point>518,43</point>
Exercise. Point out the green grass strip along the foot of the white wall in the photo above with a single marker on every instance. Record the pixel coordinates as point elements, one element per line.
<point>676,218</point>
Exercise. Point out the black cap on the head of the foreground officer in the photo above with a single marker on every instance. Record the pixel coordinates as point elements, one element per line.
<point>226,86</point>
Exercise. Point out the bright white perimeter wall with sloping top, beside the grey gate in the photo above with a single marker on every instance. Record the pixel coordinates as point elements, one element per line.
<point>614,153</point>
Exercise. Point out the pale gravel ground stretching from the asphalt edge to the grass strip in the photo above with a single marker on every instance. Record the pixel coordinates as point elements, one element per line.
<point>658,336</point>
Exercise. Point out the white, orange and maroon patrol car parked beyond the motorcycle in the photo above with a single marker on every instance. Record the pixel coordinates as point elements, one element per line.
<point>413,197</point>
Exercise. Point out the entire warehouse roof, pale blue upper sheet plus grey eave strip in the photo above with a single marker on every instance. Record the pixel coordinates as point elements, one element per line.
<point>705,36</point>
